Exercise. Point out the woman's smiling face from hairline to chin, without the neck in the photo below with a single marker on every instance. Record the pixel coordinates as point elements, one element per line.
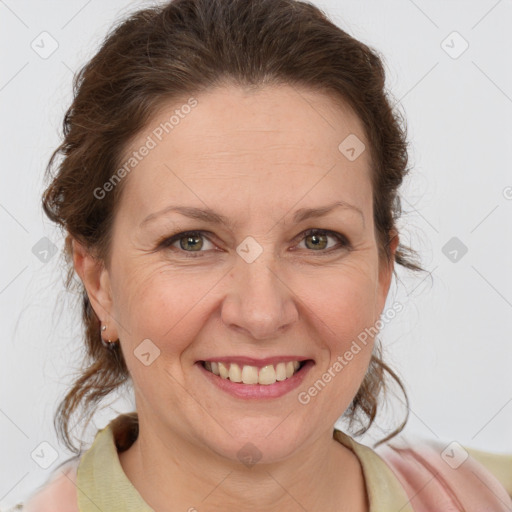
<point>243,170</point>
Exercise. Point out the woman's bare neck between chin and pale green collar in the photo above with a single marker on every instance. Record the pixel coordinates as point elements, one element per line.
<point>171,474</point>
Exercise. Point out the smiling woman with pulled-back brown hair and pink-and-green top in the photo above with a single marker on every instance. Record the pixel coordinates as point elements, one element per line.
<point>229,188</point>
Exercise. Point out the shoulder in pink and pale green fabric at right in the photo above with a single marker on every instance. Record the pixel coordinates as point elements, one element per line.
<point>429,469</point>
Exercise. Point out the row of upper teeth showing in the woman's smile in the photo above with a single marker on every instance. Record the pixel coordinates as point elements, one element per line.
<point>269,374</point>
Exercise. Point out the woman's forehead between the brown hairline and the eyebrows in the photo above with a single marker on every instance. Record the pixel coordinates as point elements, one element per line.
<point>267,143</point>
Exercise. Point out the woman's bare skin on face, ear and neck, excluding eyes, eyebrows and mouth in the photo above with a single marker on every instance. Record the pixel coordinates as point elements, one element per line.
<point>255,157</point>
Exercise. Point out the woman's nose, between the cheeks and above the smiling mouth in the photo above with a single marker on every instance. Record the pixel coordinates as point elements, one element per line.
<point>258,302</point>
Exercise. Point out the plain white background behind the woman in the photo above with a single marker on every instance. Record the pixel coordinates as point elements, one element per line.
<point>451,344</point>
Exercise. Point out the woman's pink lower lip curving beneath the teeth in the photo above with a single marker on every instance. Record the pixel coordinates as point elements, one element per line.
<point>258,391</point>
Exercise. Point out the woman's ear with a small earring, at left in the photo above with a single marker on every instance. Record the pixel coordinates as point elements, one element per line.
<point>96,280</point>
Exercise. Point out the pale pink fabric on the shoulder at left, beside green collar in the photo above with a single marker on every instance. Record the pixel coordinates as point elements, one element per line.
<point>58,493</point>
